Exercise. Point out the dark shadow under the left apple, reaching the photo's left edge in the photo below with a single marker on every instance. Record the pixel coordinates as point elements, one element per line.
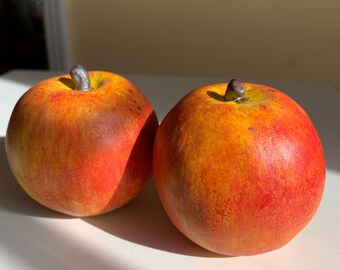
<point>12,196</point>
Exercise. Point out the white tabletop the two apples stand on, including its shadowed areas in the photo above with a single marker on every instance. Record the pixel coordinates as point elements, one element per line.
<point>139,235</point>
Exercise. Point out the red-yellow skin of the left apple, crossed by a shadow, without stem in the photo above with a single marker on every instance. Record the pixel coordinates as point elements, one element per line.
<point>82,153</point>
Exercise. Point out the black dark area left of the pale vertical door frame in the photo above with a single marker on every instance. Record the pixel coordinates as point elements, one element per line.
<point>22,35</point>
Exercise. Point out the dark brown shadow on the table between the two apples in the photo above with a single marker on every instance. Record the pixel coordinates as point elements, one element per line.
<point>143,221</point>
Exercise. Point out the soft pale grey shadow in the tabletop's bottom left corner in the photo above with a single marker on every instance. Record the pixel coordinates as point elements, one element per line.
<point>31,244</point>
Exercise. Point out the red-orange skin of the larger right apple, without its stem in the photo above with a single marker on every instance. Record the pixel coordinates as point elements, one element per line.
<point>239,178</point>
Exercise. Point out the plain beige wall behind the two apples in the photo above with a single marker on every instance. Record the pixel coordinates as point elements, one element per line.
<point>264,39</point>
